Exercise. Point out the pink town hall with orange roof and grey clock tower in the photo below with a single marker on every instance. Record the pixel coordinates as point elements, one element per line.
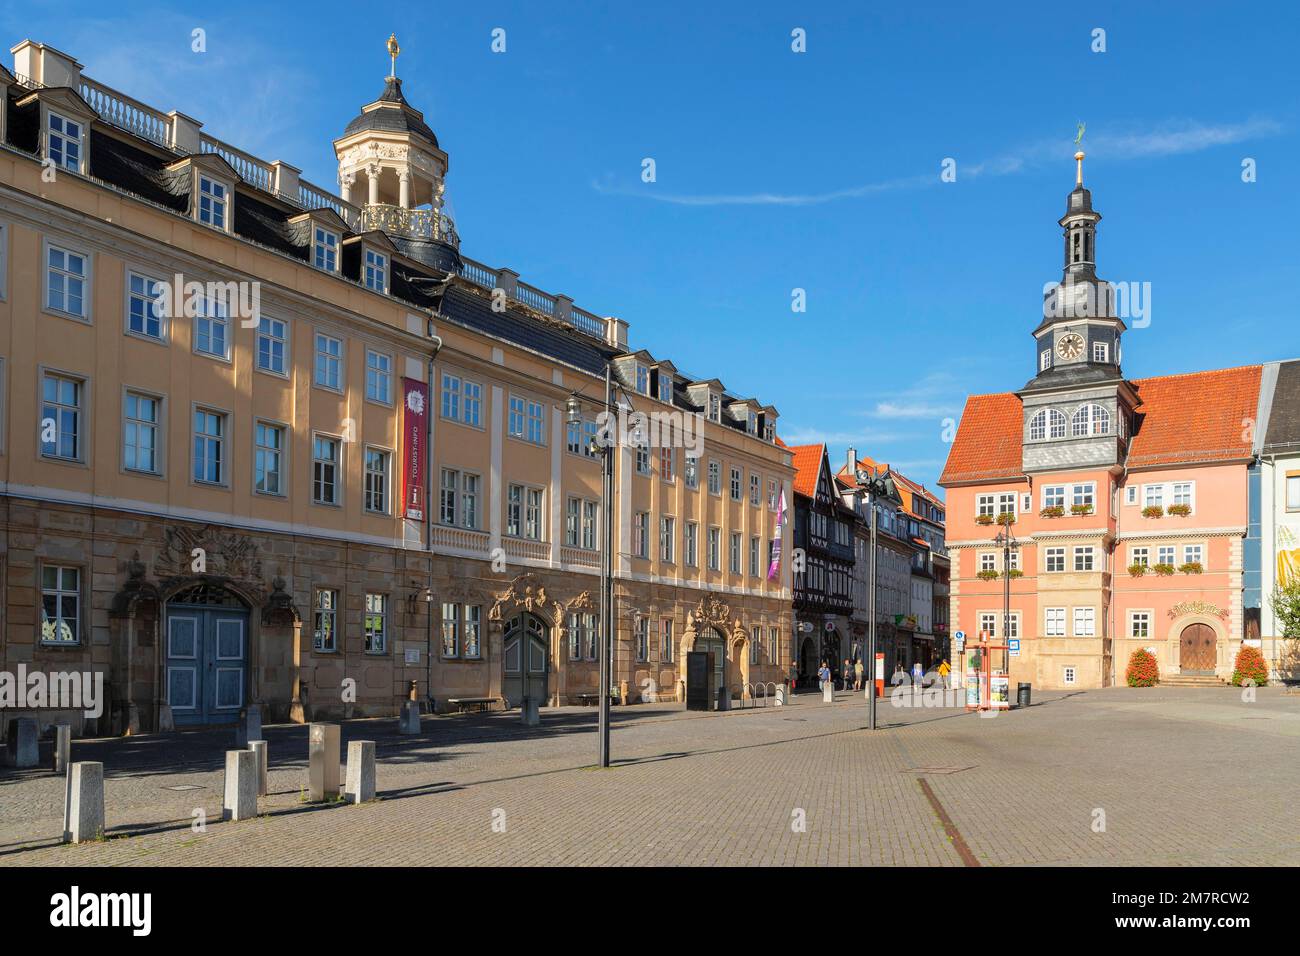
<point>1126,500</point>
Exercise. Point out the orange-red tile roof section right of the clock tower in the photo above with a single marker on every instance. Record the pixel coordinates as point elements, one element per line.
<point>1201,417</point>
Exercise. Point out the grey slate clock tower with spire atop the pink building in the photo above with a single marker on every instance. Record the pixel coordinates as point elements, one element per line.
<point>1078,408</point>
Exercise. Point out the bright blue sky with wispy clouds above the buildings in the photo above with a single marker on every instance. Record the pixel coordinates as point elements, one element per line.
<point>781,171</point>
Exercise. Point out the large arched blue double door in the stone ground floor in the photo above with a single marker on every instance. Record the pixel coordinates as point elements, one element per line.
<point>206,663</point>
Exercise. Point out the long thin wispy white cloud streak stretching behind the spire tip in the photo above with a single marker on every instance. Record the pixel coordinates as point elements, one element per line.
<point>1169,139</point>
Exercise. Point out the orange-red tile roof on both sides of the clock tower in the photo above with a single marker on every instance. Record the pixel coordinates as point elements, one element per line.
<point>1198,417</point>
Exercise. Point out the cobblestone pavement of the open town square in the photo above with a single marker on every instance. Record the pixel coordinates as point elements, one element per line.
<point>1121,777</point>
